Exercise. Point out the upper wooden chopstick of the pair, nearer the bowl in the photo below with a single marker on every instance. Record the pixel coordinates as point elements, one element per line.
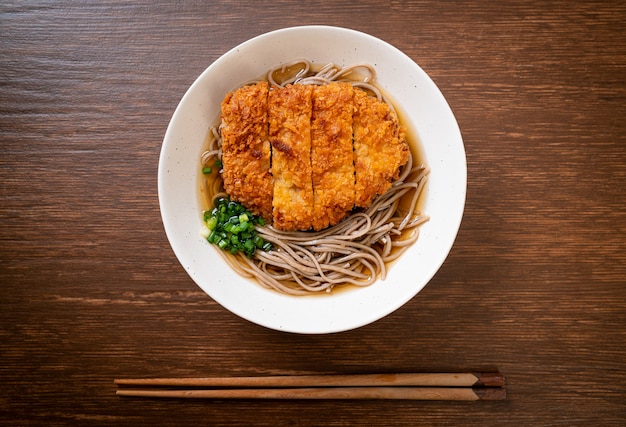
<point>479,379</point>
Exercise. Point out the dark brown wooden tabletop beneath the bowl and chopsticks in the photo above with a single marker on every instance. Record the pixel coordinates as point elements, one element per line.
<point>534,286</point>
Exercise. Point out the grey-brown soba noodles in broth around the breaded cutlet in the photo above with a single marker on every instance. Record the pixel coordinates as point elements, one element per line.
<point>355,251</point>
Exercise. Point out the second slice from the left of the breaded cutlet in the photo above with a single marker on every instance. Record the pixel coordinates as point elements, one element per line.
<point>290,137</point>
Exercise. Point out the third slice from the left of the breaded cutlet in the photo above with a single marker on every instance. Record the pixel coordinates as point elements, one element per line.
<point>331,154</point>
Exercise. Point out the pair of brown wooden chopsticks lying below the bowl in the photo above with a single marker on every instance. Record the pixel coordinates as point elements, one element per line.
<point>415,386</point>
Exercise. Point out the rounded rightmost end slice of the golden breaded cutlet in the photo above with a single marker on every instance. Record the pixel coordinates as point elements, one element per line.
<point>380,148</point>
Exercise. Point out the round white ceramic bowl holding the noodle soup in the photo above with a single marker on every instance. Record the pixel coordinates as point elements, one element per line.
<point>426,113</point>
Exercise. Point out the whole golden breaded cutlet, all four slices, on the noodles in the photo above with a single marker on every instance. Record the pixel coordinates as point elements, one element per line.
<point>331,148</point>
